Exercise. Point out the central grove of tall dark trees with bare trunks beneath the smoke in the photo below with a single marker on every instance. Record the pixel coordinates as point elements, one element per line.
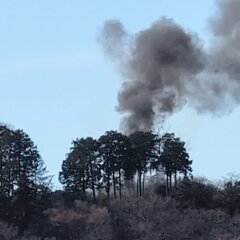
<point>114,160</point>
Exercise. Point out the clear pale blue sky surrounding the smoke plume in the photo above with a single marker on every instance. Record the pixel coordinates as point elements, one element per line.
<point>57,85</point>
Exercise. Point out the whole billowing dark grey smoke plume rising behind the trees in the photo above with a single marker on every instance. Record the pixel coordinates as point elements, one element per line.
<point>164,67</point>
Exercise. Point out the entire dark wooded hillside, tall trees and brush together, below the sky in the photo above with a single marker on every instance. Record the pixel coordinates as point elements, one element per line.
<point>96,171</point>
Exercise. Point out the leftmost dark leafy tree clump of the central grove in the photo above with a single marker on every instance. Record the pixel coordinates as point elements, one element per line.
<point>81,169</point>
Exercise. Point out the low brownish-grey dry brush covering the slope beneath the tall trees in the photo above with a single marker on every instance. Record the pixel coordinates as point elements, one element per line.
<point>199,211</point>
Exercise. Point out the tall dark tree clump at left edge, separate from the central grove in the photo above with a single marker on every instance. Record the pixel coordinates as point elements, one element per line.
<point>22,174</point>
